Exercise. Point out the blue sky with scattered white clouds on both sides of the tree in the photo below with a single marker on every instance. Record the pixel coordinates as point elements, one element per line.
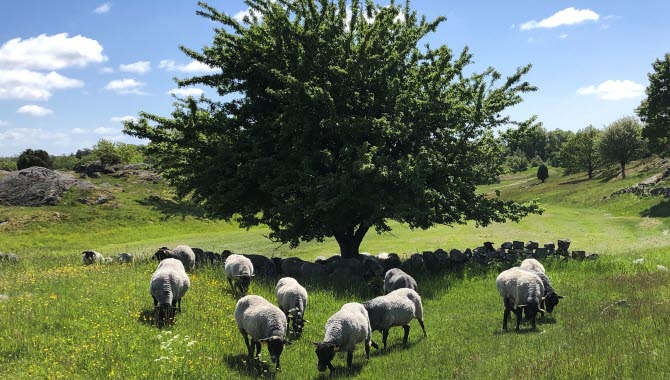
<point>72,70</point>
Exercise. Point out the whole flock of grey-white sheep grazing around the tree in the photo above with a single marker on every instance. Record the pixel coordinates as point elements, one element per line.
<point>524,289</point>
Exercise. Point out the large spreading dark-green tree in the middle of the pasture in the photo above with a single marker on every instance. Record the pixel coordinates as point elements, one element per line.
<point>333,121</point>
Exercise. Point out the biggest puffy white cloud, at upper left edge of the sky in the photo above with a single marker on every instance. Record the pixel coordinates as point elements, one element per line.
<point>50,52</point>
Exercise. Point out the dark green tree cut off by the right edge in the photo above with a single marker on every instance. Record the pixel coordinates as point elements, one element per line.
<point>654,111</point>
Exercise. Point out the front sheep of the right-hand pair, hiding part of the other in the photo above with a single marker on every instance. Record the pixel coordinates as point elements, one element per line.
<point>521,291</point>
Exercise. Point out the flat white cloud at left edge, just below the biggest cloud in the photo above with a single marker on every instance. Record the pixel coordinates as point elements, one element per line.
<point>30,85</point>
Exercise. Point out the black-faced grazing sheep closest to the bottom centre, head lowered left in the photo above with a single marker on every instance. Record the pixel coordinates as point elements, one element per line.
<point>344,329</point>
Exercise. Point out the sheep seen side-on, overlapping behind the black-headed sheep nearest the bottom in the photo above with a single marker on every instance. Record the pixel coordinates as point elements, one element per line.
<point>397,308</point>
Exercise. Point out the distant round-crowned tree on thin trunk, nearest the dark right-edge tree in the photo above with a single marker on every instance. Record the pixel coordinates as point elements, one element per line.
<point>621,142</point>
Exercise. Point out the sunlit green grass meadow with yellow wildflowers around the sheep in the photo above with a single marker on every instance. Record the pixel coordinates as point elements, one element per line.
<point>64,320</point>
